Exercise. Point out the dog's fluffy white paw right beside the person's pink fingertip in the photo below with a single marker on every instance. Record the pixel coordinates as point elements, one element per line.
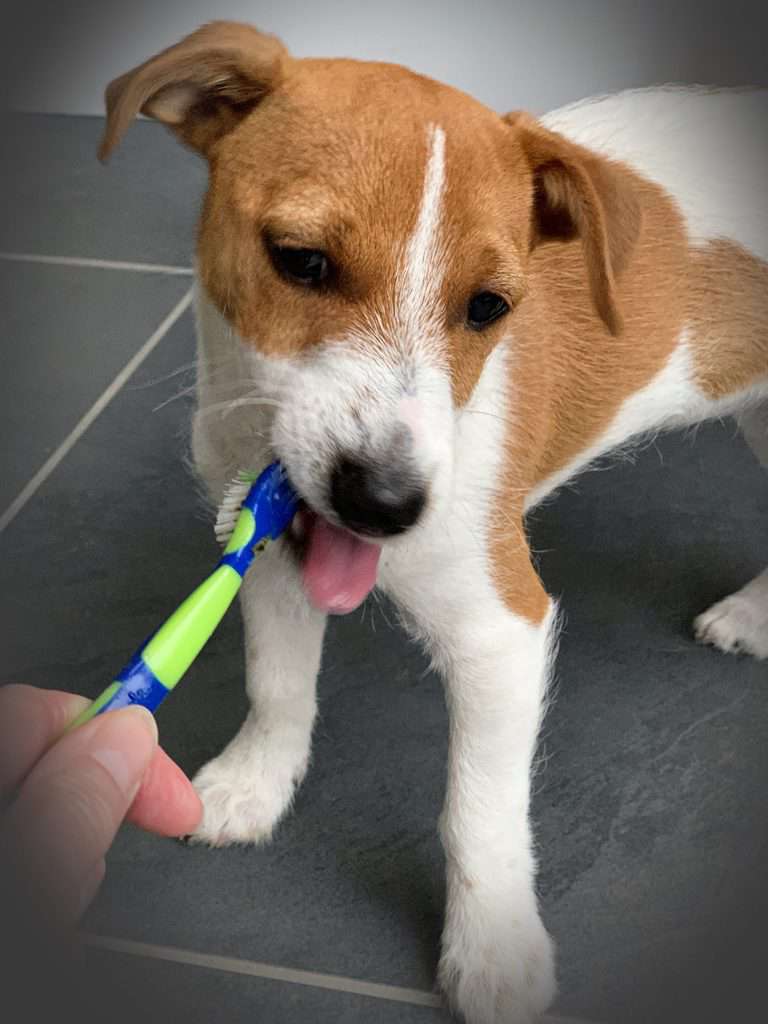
<point>243,800</point>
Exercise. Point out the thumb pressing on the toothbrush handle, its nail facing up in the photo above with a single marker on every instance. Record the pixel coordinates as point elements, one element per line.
<point>70,808</point>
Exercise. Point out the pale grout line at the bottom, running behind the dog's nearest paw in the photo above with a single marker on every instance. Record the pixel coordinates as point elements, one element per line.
<point>272,972</point>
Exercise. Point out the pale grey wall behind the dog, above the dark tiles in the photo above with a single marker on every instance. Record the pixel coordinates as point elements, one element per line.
<point>509,54</point>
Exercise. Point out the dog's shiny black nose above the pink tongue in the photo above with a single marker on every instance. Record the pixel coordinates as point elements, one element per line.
<point>376,500</point>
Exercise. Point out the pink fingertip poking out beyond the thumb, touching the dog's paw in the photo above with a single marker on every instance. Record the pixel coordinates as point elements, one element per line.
<point>166,803</point>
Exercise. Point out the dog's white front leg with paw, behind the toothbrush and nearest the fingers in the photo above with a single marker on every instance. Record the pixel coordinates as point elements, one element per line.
<point>248,788</point>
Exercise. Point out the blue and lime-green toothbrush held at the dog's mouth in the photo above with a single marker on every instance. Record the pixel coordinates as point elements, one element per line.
<point>252,514</point>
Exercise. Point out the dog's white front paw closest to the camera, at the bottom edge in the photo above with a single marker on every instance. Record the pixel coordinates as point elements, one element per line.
<point>498,975</point>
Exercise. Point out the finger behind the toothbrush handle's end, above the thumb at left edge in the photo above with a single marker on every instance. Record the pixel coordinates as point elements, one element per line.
<point>31,720</point>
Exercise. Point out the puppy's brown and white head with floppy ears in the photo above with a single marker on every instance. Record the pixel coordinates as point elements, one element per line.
<point>368,234</point>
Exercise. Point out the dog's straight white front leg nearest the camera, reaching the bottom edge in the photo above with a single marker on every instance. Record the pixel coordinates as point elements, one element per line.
<point>497,964</point>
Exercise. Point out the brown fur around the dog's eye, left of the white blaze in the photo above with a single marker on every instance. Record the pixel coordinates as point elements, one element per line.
<point>294,173</point>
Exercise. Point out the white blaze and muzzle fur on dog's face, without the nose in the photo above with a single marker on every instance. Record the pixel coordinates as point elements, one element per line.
<point>357,394</point>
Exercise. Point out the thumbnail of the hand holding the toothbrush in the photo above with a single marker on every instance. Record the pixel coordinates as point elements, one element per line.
<point>124,746</point>
